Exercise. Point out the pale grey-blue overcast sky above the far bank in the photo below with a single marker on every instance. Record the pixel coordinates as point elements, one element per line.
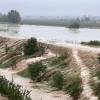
<point>52,7</point>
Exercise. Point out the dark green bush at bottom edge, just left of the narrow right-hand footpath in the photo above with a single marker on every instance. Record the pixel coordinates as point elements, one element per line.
<point>73,87</point>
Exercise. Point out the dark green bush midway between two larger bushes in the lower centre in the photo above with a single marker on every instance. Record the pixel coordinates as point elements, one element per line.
<point>58,80</point>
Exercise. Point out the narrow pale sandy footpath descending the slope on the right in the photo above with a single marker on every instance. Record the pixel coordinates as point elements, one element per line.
<point>85,75</point>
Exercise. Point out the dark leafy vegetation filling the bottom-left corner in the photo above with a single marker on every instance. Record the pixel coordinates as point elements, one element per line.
<point>13,91</point>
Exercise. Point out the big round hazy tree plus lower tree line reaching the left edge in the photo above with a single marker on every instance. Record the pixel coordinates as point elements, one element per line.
<point>13,16</point>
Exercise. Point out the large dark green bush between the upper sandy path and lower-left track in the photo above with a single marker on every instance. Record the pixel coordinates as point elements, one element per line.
<point>37,71</point>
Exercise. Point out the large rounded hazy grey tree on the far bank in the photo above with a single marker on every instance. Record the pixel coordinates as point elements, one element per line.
<point>14,16</point>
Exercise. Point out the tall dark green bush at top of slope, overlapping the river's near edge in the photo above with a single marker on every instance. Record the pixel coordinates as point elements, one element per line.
<point>30,47</point>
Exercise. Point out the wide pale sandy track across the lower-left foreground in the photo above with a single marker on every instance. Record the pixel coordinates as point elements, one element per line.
<point>36,94</point>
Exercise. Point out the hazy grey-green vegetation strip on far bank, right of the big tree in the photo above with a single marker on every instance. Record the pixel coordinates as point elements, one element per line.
<point>65,22</point>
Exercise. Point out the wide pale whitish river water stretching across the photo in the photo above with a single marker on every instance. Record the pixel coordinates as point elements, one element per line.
<point>49,33</point>
